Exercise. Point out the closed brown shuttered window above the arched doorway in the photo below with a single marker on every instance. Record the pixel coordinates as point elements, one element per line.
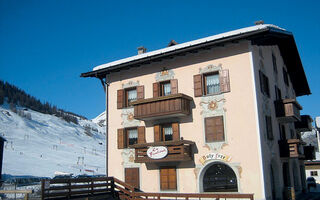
<point>214,129</point>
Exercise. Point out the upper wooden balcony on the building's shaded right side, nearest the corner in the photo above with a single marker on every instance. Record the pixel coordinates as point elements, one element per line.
<point>287,110</point>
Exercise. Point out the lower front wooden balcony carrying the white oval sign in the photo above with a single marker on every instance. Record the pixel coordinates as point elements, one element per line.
<point>180,150</point>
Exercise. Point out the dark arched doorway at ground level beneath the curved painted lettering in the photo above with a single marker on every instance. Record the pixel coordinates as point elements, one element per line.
<point>219,177</point>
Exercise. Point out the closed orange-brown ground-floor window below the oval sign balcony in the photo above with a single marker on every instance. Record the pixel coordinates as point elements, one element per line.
<point>168,178</point>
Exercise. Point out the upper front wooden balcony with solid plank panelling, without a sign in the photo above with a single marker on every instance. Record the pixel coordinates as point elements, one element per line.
<point>162,107</point>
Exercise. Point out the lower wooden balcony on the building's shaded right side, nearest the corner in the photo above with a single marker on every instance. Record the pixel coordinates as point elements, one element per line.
<point>290,148</point>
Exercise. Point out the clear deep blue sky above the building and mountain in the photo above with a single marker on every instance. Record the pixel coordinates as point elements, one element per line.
<point>46,45</point>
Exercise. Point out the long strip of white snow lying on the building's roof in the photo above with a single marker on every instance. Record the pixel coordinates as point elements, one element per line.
<point>193,43</point>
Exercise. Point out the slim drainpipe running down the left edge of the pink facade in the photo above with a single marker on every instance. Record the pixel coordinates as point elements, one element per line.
<point>105,85</point>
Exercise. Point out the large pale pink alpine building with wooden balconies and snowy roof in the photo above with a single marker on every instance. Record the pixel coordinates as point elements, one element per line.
<point>211,115</point>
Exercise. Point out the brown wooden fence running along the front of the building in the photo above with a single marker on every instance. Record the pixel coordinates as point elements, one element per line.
<point>112,187</point>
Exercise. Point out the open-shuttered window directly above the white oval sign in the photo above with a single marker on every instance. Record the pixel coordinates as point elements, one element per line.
<point>166,132</point>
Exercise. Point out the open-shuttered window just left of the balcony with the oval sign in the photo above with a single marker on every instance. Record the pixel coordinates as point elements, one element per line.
<point>131,136</point>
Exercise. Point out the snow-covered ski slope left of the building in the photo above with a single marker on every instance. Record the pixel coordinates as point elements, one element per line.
<point>44,144</point>
